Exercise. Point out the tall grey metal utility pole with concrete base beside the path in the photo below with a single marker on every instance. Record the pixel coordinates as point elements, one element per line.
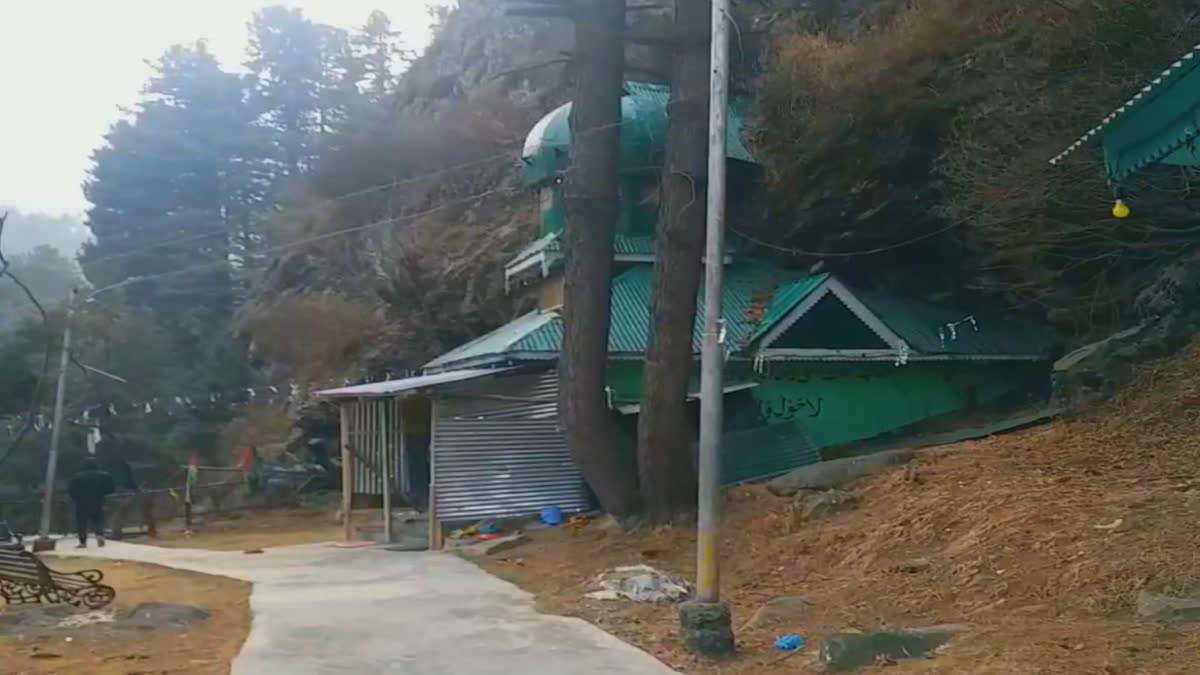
<point>706,622</point>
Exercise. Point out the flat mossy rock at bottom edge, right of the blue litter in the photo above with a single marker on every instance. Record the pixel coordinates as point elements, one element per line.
<point>847,652</point>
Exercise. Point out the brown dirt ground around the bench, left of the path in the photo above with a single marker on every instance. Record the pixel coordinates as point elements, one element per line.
<point>203,649</point>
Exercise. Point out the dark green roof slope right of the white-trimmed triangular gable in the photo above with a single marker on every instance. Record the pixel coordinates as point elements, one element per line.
<point>939,331</point>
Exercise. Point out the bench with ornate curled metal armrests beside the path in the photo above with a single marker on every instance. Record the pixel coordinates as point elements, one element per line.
<point>26,580</point>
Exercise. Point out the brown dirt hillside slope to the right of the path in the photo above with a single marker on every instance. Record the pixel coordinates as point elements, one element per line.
<point>1039,541</point>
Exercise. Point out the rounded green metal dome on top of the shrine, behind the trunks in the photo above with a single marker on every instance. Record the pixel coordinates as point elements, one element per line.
<point>644,132</point>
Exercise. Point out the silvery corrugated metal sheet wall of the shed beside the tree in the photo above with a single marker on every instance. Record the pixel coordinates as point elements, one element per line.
<point>499,451</point>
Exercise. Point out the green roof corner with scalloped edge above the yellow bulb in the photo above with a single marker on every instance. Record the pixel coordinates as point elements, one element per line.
<point>1159,124</point>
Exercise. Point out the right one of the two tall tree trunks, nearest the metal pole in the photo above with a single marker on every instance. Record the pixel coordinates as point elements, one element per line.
<point>664,433</point>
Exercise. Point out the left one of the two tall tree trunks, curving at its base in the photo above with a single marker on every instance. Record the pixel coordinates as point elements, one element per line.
<point>592,208</point>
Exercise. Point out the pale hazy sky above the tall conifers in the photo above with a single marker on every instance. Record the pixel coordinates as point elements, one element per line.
<point>68,68</point>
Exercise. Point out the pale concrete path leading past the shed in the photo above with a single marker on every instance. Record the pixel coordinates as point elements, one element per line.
<point>325,611</point>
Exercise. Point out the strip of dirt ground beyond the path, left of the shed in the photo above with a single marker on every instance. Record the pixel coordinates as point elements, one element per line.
<point>253,531</point>
